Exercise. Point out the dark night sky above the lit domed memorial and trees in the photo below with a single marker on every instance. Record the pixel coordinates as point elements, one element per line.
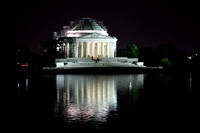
<point>145,23</point>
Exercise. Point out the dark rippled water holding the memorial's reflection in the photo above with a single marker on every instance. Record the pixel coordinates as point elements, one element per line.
<point>98,103</point>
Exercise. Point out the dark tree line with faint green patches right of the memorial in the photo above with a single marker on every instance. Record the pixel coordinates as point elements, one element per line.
<point>165,55</point>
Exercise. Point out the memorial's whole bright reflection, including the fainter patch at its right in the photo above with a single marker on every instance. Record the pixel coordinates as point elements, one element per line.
<point>92,97</point>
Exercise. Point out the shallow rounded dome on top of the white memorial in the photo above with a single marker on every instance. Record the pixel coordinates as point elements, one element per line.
<point>87,23</point>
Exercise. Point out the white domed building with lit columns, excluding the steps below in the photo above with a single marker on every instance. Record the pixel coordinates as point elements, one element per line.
<point>86,38</point>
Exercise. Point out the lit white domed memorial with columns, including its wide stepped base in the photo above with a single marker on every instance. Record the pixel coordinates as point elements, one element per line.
<point>85,43</point>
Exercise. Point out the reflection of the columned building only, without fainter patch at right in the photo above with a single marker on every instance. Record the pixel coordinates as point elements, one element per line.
<point>86,97</point>
